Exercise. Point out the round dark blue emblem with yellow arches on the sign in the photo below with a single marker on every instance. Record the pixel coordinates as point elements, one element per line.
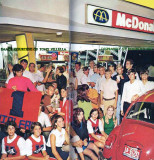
<point>101,15</point>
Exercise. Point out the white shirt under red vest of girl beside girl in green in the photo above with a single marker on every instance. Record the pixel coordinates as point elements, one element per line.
<point>90,128</point>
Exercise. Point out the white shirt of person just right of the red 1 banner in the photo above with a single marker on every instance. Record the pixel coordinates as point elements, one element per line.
<point>44,120</point>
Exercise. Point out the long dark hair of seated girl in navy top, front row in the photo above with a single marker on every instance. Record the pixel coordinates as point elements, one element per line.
<point>76,112</point>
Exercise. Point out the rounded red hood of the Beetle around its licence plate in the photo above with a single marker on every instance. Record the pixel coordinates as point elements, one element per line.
<point>136,134</point>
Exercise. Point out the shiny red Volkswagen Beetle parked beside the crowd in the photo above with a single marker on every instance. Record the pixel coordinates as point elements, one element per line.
<point>134,137</point>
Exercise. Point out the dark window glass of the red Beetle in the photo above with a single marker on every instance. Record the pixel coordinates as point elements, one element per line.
<point>143,111</point>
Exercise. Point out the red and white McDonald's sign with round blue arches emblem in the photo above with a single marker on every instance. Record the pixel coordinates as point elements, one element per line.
<point>107,17</point>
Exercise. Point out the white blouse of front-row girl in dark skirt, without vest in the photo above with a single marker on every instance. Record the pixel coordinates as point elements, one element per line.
<point>60,137</point>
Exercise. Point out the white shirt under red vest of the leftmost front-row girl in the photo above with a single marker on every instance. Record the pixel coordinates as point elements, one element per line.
<point>21,145</point>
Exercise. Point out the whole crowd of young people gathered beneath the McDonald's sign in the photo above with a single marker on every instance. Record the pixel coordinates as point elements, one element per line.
<point>78,109</point>
